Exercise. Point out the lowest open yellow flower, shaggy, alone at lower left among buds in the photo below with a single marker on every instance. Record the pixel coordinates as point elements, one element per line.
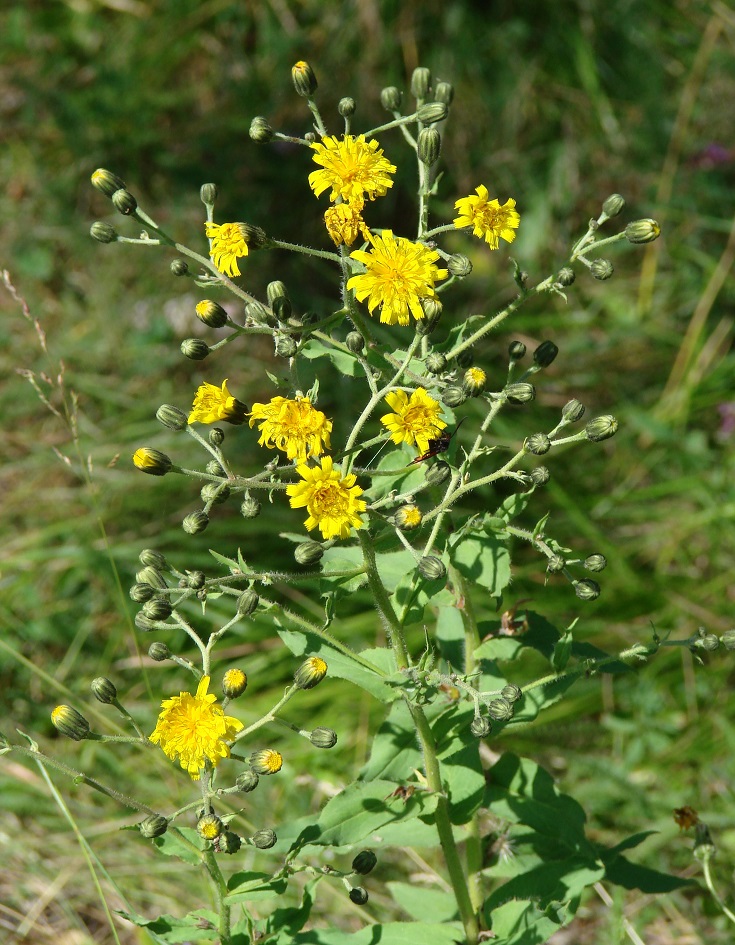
<point>194,730</point>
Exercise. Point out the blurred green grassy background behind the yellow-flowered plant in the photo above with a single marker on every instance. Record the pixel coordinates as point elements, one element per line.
<point>557,105</point>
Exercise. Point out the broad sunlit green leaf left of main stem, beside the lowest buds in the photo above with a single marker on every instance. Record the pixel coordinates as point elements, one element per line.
<point>364,808</point>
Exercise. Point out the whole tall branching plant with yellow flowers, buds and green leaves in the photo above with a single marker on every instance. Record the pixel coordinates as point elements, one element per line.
<point>393,504</point>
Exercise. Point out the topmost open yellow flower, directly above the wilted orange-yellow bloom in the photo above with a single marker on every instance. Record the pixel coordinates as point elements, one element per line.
<point>351,167</point>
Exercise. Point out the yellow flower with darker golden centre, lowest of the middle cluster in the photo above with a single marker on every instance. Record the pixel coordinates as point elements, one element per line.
<point>332,502</point>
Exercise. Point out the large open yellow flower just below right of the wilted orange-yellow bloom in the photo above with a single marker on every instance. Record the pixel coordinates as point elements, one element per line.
<point>399,274</point>
